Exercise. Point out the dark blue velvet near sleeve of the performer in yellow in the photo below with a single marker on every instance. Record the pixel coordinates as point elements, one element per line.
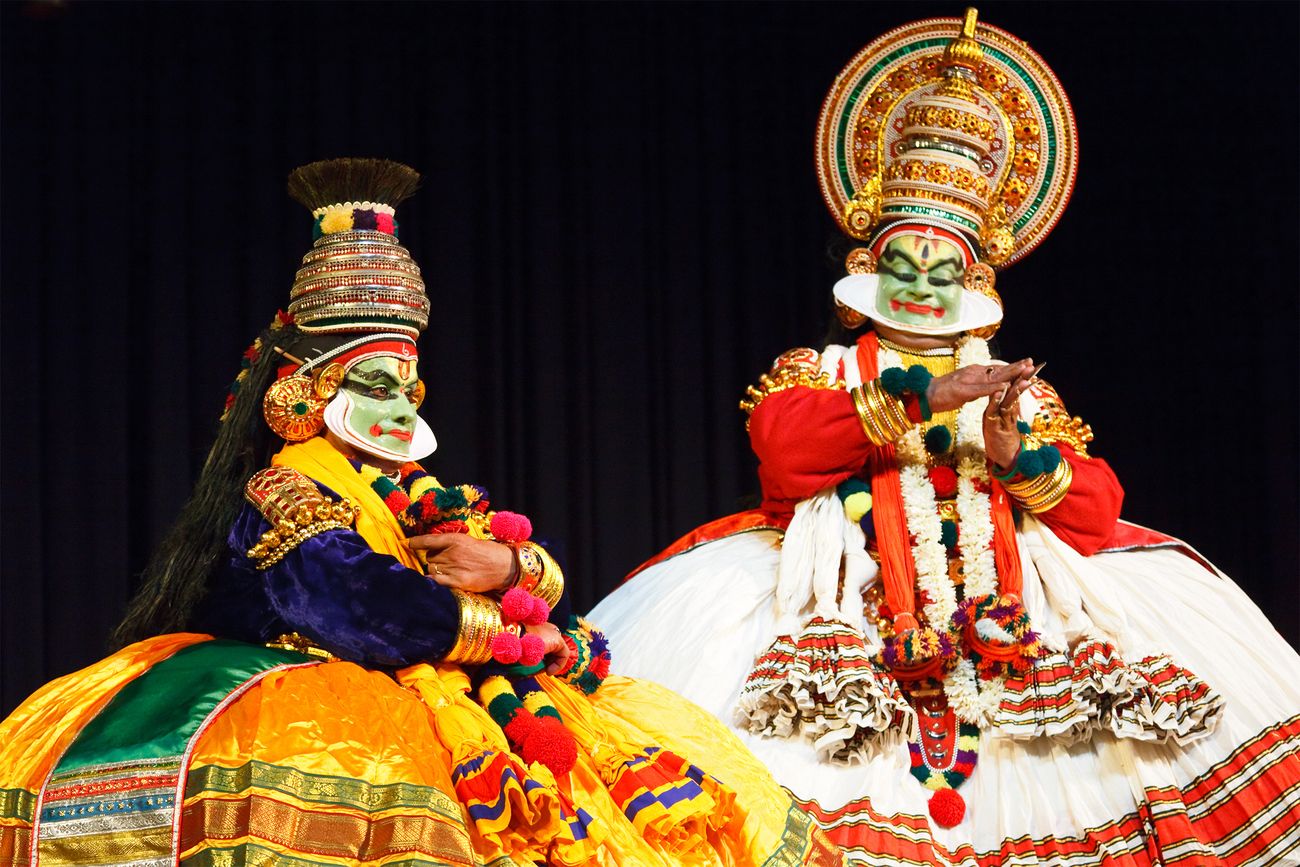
<point>352,601</point>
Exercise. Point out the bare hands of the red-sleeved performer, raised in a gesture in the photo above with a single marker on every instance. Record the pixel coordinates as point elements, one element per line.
<point>1003,385</point>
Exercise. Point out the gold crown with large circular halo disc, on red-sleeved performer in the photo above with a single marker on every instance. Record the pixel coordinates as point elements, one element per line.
<point>955,124</point>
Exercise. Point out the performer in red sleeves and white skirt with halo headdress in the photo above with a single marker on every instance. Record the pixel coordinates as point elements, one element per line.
<point>937,631</point>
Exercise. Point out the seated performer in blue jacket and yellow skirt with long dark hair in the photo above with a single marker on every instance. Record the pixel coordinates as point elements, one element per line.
<point>337,660</point>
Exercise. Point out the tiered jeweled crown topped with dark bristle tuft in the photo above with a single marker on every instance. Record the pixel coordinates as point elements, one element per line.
<point>357,278</point>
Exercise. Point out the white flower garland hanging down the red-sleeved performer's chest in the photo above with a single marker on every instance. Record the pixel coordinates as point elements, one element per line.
<point>970,703</point>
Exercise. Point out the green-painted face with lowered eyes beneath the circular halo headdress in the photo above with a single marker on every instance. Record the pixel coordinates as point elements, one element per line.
<point>921,281</point>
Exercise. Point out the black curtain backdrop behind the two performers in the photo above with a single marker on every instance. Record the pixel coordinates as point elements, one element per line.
<point>619,228</point>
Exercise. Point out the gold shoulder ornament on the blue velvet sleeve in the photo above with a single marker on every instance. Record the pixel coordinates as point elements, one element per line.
<point>296,509</point>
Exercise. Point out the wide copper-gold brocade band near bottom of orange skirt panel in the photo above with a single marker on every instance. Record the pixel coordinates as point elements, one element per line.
<point>328,834</point>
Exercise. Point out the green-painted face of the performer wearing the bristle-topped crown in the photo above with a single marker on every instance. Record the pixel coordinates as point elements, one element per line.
<point>384,402</point>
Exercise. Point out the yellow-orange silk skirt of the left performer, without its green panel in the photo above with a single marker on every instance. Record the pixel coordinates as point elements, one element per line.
<point>337,765</point>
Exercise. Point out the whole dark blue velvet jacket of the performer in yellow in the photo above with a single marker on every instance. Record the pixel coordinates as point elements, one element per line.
<point>357,604</point>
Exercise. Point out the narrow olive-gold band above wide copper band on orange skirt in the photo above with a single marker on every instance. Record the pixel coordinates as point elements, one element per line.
<point>319,790</point>
